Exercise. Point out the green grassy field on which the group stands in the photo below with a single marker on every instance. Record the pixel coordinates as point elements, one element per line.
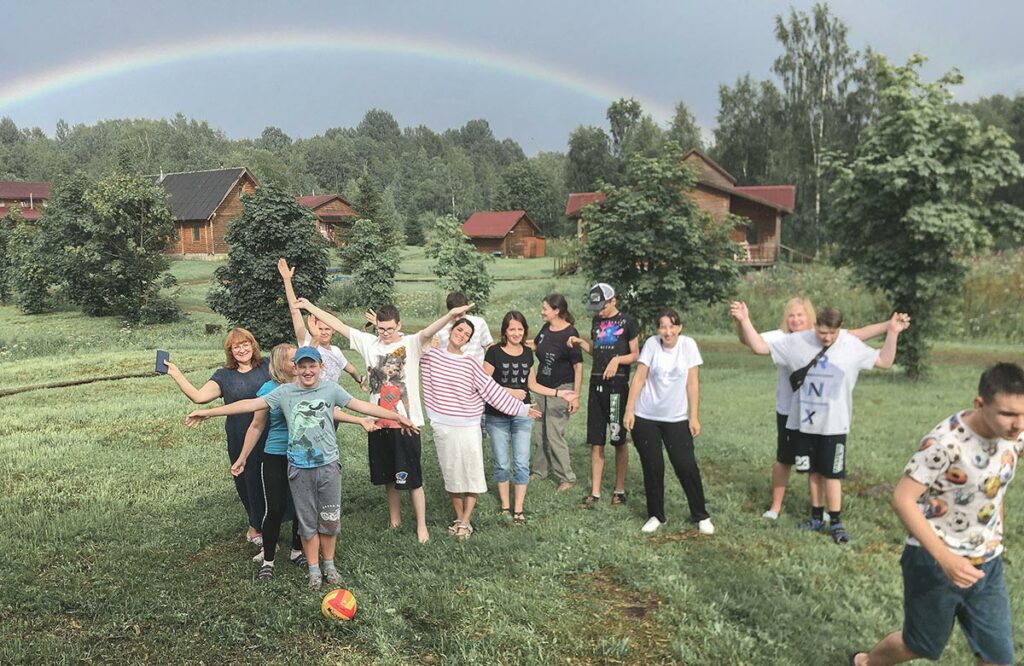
<point>122,534</point>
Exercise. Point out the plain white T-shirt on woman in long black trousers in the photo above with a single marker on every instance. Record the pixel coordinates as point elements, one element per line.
<point>664,395</point>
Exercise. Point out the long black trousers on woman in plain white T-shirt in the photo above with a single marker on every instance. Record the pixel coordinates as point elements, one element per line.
<point>649,436</point>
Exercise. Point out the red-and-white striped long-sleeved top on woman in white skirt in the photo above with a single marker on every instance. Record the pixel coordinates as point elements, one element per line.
<point>455,389</point>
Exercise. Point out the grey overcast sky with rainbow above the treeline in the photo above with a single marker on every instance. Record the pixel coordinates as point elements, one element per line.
<point>534,69</point>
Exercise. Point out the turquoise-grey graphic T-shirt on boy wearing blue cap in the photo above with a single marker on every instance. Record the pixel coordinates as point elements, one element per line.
<point>310,414</point>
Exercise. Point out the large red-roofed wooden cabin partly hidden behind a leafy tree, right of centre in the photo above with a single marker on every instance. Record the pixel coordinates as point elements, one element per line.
<point>717,193</point>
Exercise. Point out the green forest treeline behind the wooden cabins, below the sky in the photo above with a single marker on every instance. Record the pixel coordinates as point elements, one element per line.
<point>788,129</point>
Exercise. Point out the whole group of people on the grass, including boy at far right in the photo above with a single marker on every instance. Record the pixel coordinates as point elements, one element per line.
<point>283,412</point>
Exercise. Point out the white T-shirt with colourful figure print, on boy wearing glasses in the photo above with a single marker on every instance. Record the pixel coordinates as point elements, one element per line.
<point>394,373</point>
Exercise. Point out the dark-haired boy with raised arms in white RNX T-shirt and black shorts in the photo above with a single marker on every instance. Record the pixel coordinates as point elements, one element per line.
<point>831,360</point>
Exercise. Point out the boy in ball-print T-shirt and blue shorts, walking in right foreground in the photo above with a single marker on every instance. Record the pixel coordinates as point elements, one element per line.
<point>951,501</point>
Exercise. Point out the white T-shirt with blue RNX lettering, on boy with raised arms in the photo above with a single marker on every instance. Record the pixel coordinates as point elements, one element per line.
<point>825,404</point>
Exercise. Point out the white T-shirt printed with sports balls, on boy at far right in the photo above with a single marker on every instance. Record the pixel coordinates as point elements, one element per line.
<point>967,478</point>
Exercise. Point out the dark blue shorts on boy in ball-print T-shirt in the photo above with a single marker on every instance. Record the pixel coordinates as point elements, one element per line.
<point>931,603</point>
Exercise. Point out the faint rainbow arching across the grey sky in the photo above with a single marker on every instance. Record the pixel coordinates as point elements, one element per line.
<point>111,65</point>
